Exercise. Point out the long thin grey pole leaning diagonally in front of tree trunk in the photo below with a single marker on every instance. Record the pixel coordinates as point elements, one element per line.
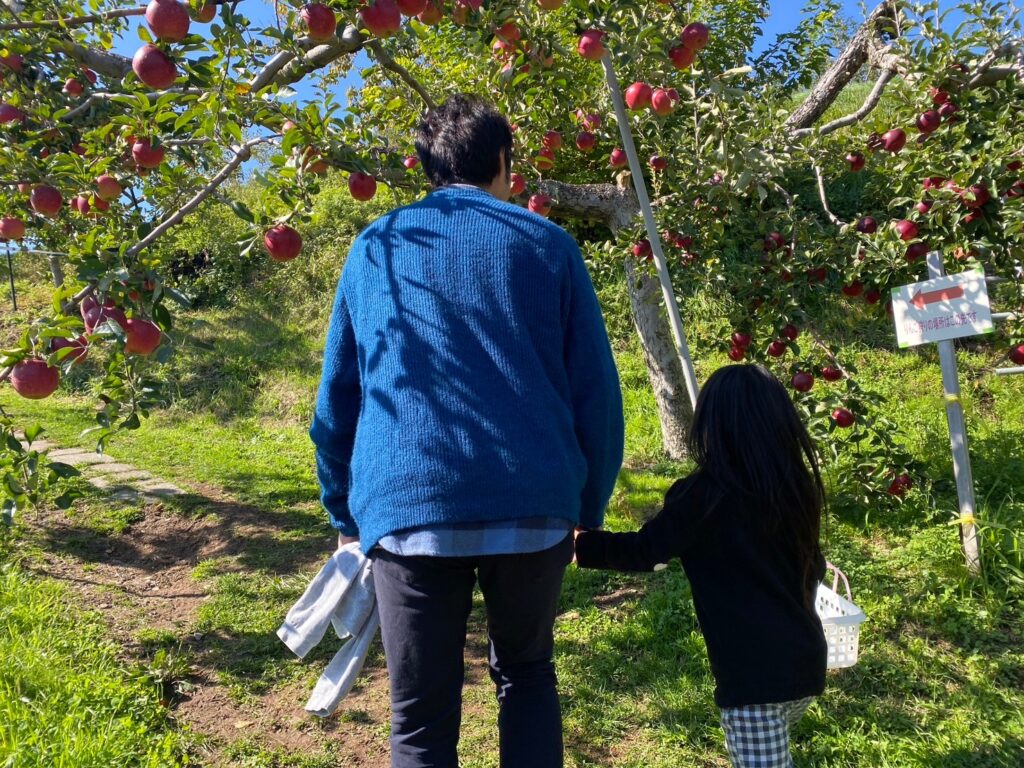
<point>636,170</point>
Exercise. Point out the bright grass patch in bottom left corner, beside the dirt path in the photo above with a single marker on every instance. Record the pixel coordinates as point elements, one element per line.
<point>67,700</point>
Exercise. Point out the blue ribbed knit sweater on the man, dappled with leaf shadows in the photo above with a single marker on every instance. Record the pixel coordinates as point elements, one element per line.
<point>467,374</point>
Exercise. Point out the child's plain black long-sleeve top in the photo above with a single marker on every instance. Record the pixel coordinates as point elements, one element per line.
<point>764,639</point>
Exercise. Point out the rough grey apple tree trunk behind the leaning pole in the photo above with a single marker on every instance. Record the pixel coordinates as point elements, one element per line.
<point>664,368</point>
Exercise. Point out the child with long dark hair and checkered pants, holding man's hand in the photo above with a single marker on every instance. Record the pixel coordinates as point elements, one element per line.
<point>746,527</point>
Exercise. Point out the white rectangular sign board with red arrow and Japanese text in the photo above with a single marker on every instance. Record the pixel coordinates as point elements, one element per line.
<point>943,309</point>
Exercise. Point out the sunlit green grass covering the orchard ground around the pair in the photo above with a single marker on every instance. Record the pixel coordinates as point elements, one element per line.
<point>941,681</point>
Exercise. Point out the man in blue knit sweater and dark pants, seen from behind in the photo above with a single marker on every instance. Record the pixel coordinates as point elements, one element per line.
<point>470,416</point>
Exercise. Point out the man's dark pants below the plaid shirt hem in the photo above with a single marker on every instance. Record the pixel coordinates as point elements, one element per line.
<point>424,604</point>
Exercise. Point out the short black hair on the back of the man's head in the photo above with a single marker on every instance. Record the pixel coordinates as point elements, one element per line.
<point>460,143</point>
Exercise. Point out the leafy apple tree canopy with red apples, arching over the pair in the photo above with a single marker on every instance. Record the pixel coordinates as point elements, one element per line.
<point>103,155</point>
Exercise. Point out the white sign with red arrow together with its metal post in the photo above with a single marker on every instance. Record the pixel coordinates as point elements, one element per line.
<point>940,311</point>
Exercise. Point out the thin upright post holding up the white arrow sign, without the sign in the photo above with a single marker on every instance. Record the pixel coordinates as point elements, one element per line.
<point>958,437</point>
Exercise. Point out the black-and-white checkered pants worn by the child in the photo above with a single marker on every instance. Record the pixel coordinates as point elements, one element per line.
<point>758,736</point>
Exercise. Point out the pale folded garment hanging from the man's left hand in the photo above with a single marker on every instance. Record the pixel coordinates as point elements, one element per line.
<point>340,595</point>
